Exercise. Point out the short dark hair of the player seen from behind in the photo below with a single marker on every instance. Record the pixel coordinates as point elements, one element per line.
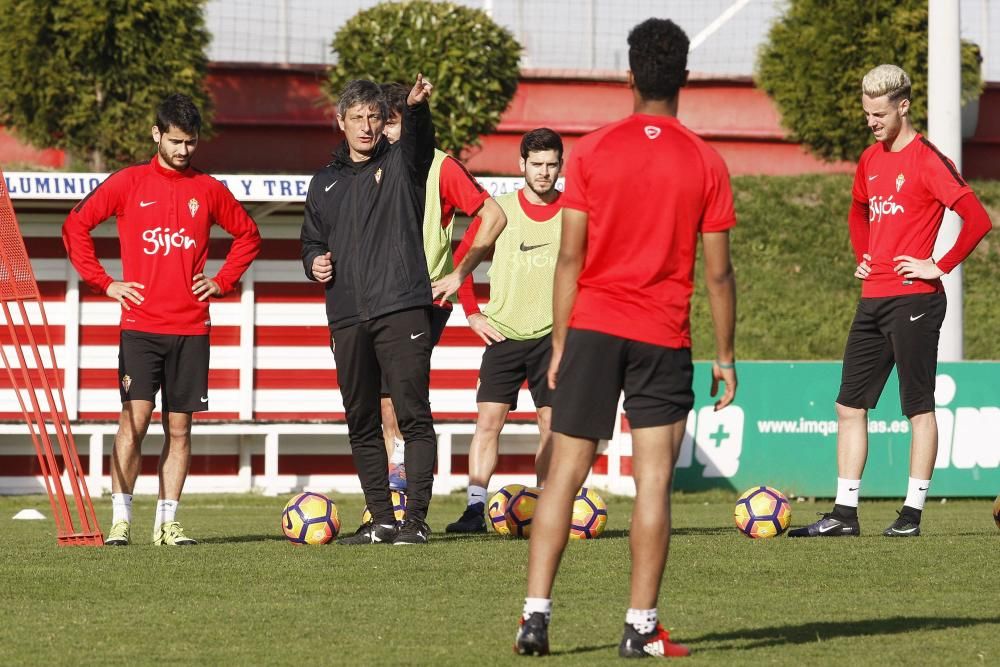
<point>657,56</point>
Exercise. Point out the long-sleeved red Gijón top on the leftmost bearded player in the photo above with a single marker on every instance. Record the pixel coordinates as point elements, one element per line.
<point>164,218</point>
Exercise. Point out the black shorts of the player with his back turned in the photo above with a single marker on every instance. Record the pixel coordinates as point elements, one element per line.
<point>596,367</point>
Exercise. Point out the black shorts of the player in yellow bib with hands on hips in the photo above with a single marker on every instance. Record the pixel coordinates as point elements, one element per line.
<point>507,364</point>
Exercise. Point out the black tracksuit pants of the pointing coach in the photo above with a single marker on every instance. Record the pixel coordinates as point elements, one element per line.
<point>399,345</point>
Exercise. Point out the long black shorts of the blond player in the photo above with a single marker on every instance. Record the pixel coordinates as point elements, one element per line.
<point>901,331</point>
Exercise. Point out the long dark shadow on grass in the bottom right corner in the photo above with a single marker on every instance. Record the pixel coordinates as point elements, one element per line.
<point>808,633</point>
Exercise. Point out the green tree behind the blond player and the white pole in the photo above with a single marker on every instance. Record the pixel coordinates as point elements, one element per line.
<point>818,52</point>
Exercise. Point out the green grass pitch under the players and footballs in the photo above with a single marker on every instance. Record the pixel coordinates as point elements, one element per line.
<point>247,597</point>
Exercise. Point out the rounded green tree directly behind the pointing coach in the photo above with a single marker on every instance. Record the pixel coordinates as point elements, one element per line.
<point>472,62</point>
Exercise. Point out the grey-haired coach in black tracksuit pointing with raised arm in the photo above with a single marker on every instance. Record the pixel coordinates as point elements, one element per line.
<point>362,237</point>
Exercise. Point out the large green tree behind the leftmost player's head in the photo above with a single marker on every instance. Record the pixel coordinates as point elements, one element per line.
<point>85,75</point>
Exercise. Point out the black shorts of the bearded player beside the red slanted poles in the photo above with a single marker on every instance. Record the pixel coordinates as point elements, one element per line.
<point>178,365</point>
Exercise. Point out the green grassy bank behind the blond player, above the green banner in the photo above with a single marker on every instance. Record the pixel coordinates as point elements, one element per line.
<point>794,272</point>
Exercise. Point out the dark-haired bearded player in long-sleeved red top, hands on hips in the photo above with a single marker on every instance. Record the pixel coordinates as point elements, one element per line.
<point>164,211</point>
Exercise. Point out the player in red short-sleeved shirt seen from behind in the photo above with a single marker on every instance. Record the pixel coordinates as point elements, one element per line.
<point>638,194</point>
